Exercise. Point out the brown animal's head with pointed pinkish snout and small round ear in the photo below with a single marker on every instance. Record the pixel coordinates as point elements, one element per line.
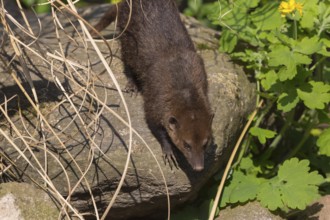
<point>191,132</point>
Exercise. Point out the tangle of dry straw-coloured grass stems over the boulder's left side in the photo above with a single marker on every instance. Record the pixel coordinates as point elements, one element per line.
<point>29,123</point>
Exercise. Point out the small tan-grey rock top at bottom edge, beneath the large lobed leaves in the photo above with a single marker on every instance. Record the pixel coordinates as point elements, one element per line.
<point>249,211</point>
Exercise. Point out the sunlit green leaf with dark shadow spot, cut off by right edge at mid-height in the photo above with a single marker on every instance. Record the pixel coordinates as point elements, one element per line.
<point>315,95</point>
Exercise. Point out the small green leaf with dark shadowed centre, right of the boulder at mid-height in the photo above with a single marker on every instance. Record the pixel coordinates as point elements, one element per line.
<point>288,100</point>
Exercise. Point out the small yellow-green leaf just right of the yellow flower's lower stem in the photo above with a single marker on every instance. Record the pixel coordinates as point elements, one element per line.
<point>308,45</point>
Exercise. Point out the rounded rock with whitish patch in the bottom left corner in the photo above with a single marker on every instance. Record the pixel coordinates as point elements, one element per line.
<point>19,201</point>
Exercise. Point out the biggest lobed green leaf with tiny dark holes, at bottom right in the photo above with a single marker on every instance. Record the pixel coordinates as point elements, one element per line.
<point>294,187</point>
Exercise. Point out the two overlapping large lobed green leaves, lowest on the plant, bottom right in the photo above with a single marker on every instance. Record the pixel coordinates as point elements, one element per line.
<point>294,187</point>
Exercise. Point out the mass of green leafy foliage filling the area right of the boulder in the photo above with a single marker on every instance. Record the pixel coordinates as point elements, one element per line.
<point>284,162</point>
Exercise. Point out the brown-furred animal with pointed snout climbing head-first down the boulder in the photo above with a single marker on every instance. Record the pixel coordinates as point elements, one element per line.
<point>161,61</point>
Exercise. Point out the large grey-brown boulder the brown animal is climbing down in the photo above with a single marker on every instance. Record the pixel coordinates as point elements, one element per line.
<point>86,152</point>
